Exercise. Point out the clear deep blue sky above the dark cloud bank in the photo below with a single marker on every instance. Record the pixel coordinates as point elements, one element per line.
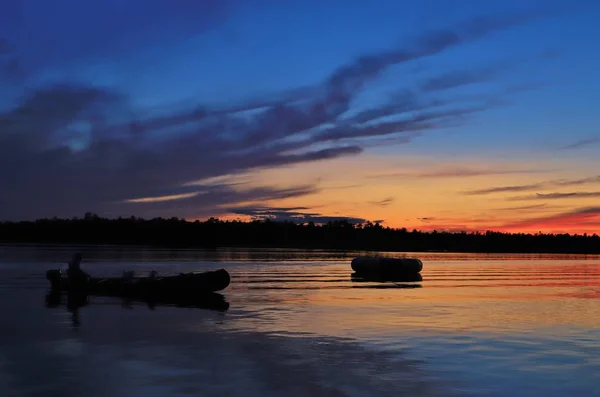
<point>242,49</point>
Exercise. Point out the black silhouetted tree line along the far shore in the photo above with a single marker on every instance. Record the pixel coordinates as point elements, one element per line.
<point>213,233</point>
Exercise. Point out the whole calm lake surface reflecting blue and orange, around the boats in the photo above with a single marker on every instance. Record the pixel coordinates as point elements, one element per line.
<point>298,325</point>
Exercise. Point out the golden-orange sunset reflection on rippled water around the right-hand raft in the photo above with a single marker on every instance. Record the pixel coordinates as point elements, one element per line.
<point>475,296</point>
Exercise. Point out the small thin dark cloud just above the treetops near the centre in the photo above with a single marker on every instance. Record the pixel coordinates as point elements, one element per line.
<point>279,214</point>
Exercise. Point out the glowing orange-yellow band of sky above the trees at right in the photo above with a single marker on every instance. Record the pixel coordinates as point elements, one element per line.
<point>418,193</point>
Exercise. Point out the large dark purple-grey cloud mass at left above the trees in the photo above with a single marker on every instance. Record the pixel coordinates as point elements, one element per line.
<point>116,164</point>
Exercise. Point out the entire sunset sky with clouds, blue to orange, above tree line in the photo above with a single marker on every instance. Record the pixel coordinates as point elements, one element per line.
<point>436,114</point>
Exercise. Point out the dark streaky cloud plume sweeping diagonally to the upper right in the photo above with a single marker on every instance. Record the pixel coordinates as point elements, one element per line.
<point>347,81</point>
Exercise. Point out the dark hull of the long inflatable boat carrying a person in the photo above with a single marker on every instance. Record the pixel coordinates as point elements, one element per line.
<point>182,286</point>
